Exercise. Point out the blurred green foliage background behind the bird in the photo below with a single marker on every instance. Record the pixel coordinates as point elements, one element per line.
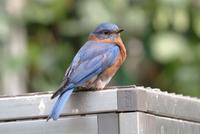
<point>38,39</point>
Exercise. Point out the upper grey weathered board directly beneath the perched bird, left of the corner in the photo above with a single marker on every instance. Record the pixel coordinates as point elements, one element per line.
<point>40,105</point>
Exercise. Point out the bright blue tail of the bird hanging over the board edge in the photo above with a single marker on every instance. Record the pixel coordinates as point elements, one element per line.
<point>59,105</point>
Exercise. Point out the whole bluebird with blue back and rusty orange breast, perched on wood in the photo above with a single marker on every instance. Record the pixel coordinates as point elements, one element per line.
<point>93,66</point>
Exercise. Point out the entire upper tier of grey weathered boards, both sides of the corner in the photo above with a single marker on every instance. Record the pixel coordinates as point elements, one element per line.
<point>115,99</point>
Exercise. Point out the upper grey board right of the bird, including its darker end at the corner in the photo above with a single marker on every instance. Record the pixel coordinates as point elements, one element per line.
<point>154,101</point>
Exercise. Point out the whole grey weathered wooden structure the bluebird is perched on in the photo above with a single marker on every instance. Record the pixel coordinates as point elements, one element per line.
<point>118,110</point>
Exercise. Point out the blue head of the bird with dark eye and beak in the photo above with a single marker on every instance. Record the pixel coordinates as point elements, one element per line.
<point>107,31</point>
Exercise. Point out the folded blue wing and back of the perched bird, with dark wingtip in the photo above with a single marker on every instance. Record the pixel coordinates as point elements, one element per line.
<point>92,59</point>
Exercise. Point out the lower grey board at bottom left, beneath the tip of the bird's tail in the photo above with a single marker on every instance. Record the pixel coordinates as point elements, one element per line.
<point>69,125</point>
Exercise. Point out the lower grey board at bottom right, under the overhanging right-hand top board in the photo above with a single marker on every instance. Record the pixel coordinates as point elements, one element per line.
<point>143,123</point>
